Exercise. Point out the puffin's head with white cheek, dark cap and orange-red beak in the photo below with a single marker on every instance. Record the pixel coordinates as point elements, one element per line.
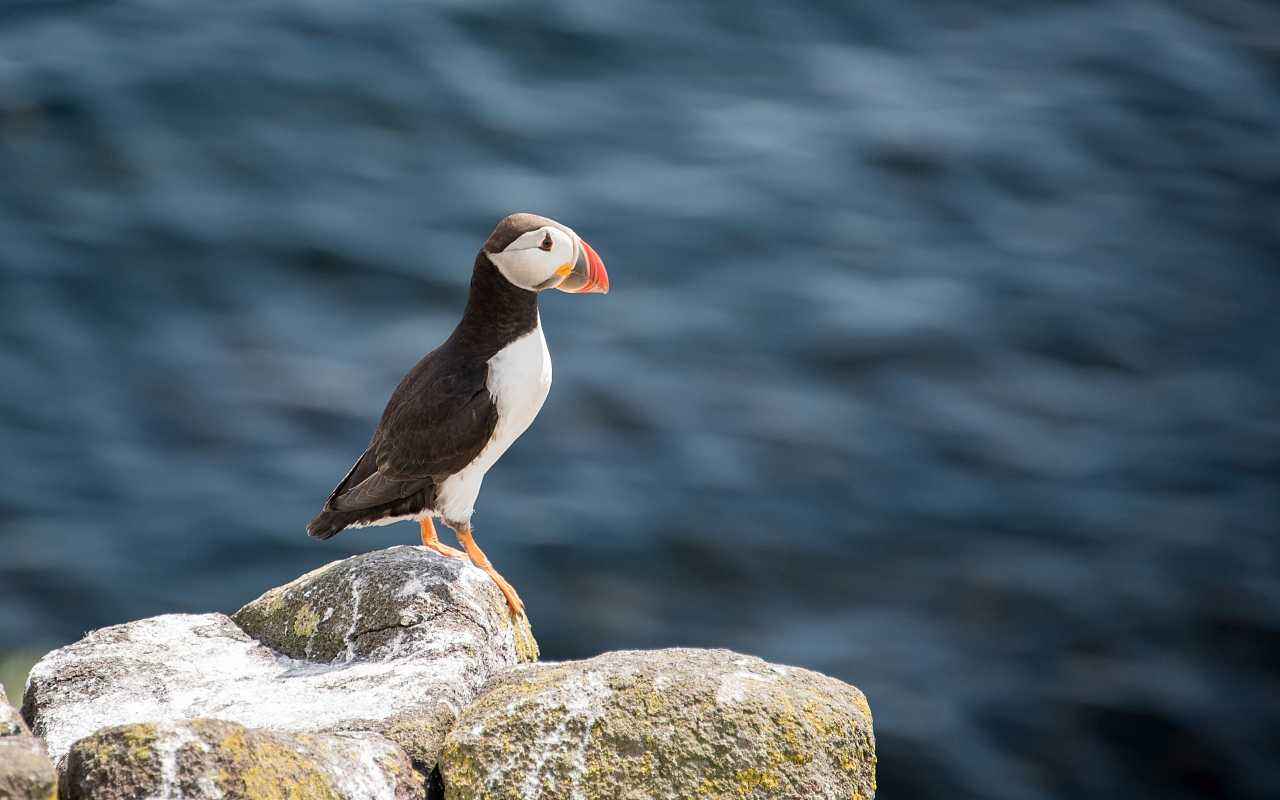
<point>536,253</point>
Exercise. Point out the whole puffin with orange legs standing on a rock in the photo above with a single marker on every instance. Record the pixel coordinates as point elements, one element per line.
<point>459,410</point>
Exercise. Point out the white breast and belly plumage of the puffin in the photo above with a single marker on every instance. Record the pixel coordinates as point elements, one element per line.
<point>520,377</point>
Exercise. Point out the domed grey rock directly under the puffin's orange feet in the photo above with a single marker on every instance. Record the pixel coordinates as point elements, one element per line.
<point>383,604</point>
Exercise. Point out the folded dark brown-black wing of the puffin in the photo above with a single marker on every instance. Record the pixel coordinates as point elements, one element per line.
<point>436,424</point>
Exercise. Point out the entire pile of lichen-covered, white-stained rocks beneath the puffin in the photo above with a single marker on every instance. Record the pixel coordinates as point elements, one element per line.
<point>399,675</point>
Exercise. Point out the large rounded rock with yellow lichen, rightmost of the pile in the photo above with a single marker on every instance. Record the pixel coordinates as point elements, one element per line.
<point>662,725</point>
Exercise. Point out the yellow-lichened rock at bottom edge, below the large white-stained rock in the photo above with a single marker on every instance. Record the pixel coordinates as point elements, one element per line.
<point>213,760</point>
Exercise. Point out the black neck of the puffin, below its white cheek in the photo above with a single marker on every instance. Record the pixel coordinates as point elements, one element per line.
<point>499,312</point>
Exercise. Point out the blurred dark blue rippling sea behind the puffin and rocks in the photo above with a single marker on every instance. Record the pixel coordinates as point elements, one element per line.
<point>943,354</point>
